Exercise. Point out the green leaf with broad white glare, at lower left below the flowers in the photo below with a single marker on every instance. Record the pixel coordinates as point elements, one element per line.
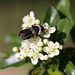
<point>10,61</point>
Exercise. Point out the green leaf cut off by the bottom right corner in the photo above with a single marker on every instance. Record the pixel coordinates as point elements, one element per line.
<point>70,68</point>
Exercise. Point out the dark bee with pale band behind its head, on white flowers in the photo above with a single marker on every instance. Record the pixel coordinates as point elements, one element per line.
<point>31,31</point>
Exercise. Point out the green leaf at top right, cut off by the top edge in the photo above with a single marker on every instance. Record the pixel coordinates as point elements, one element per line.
<point>64,8</point>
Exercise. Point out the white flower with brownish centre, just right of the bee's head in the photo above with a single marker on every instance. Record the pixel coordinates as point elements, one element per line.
<point>48,30</point>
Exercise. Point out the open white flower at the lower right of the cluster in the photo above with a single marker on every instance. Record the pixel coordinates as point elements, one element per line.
<point>52,49</point>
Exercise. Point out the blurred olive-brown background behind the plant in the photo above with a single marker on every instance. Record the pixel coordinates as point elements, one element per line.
<point>11,14</point>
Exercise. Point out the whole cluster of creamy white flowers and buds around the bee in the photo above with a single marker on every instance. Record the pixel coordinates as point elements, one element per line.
<point>36,47</point>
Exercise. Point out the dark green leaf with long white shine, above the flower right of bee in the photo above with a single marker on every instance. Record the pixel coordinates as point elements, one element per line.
<point>51,16</point>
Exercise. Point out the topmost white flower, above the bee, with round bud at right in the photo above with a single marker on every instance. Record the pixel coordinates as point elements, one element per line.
<point>29,20</point>
